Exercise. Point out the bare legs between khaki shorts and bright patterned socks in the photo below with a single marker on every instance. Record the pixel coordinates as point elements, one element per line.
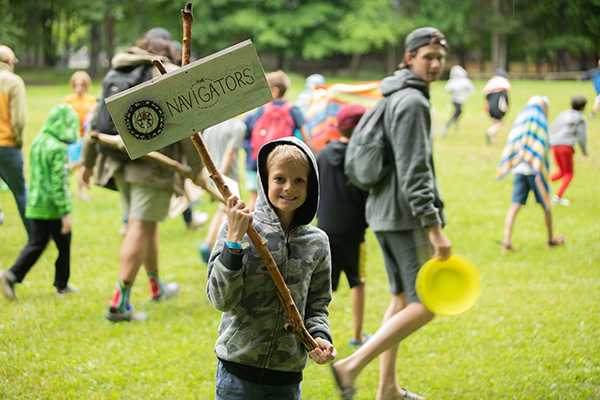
<point>140,246</point>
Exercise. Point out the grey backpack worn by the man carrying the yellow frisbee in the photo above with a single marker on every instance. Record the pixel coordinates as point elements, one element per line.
<point>368,155</point>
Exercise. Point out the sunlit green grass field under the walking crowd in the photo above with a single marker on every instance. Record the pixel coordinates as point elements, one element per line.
<point>532,335</point>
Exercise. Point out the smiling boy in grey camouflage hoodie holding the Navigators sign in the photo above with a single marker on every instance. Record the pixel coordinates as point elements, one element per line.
<point>258,358</point>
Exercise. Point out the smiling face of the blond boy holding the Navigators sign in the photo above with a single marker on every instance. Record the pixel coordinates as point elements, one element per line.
<point>288,183</point>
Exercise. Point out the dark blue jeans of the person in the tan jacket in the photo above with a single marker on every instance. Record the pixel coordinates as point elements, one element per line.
<point>11,172</point>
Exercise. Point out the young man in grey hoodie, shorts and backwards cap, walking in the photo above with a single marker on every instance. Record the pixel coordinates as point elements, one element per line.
<point>404,211</point>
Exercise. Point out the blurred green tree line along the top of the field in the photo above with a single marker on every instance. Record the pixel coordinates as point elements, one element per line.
<point>562,34</point>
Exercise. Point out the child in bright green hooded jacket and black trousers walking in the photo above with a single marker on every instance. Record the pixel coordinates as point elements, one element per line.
<point>49,201</point>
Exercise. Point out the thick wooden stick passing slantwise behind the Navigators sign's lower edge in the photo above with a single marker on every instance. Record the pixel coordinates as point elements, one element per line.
<point>160,159</point>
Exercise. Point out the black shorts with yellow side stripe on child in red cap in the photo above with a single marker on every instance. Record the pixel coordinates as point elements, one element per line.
<point>350,258</point>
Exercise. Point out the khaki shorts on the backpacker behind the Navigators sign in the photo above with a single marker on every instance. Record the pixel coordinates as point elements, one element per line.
<point>143,202</point>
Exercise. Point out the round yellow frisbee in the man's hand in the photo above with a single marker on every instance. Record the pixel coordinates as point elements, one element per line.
<point>448,287</point>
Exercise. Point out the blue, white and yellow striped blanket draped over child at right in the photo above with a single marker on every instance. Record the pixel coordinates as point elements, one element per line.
<point>528,141</point>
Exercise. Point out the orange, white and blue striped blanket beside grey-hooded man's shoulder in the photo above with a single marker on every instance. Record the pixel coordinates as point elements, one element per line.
<point>321,117</point>
